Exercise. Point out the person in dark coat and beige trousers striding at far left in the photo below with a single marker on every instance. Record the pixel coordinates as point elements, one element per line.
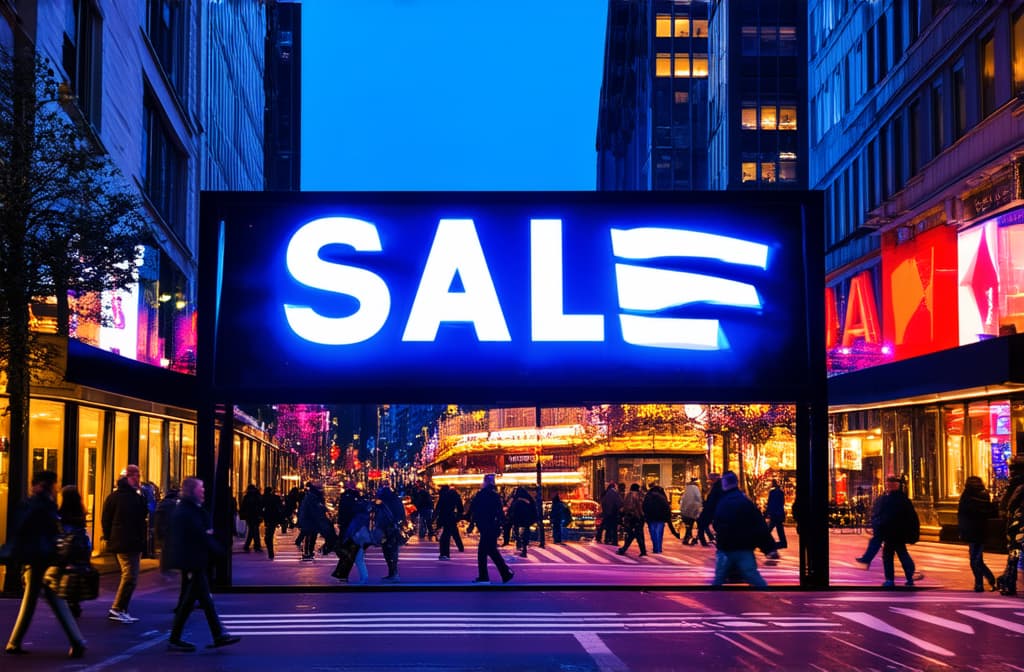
<point>34,544</point>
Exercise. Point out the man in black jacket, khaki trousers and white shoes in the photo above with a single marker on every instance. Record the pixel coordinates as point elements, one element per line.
<point>125,528</point>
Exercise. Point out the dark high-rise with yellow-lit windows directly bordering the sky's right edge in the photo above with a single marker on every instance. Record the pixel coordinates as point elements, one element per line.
<point>653,121</point>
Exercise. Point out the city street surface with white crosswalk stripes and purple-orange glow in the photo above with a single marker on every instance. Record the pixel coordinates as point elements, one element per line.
<point>446,623</point>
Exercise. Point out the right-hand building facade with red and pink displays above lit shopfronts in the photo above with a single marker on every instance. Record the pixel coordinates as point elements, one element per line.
<point>917,139</point>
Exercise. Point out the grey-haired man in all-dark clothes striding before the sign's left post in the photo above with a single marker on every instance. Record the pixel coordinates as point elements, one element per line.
<point>192,547</point>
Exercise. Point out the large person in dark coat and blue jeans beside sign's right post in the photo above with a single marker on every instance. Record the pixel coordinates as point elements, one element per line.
<point>740,529</point>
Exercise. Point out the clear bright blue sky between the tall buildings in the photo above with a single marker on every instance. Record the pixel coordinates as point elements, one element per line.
<point>451,95</point>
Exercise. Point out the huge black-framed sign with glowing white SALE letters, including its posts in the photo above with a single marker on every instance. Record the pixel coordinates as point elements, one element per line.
<point>516,299</point>
